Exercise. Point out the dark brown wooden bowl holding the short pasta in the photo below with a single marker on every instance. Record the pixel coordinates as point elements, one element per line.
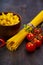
<point>8,31</point>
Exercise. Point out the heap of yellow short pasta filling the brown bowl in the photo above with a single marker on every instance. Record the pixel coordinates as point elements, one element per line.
<point>9,19</point>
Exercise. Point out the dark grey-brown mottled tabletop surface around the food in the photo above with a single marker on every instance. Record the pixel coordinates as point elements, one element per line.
<point>27,9</point>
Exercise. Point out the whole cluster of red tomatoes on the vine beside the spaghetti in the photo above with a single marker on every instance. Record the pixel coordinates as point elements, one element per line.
<point>35,39</point>
